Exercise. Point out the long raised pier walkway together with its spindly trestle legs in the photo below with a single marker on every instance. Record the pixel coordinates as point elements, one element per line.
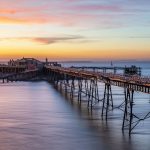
<point>85,83</point>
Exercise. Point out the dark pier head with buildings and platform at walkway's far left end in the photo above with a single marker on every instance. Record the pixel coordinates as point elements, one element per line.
<point>23,69</point>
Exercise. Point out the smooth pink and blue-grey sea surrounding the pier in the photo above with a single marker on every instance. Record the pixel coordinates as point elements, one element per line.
<point>37,116</point>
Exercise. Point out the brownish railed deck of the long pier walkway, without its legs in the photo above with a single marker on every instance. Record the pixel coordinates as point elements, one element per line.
<point>134,82</point>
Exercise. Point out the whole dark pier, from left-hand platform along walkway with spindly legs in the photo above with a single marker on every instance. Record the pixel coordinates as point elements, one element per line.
<point>82,83</point>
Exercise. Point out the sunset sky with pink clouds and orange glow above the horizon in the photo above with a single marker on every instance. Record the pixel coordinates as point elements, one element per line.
<point>75,29</point>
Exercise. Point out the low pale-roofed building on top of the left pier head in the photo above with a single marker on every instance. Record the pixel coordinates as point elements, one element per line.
<point>29,63</point>
